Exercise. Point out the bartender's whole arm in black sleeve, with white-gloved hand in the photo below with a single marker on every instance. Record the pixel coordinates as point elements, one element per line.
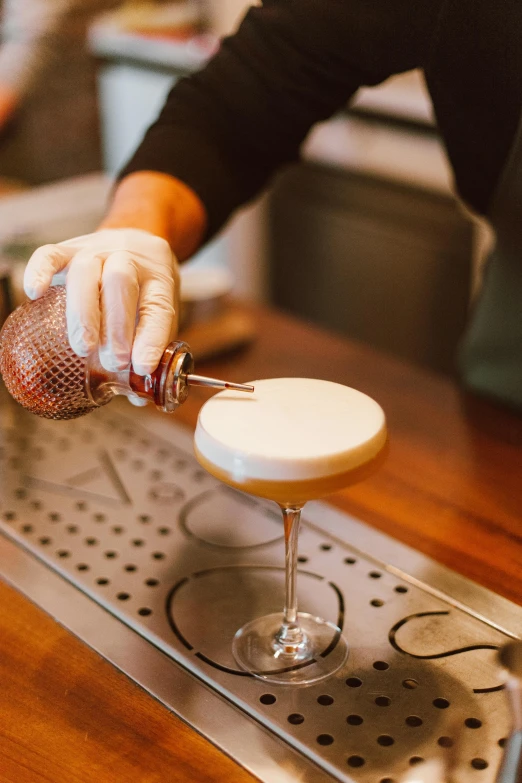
<point>221,135</point>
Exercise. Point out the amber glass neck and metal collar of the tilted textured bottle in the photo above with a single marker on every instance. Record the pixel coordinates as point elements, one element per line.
<point>166,387</point>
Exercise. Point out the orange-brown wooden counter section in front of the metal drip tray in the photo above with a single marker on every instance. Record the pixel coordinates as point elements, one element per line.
<point>68,715</point>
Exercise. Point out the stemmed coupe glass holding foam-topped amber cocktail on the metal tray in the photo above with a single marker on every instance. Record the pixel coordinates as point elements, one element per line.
<point>292,440</point>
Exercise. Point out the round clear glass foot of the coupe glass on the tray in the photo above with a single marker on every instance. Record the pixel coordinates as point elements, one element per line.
<point>319,652</point>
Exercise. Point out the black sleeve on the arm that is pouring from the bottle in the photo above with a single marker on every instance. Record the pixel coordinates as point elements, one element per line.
<point>225,130</point>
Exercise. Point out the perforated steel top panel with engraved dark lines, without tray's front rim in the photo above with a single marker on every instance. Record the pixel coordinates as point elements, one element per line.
<point>136,524</point>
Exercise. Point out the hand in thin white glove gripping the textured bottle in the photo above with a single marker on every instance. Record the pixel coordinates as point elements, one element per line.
<point>122,294</point>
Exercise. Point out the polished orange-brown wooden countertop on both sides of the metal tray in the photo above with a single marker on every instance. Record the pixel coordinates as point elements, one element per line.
<point>451,488</point>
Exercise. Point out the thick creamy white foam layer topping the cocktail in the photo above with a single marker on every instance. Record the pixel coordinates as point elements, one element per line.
<point>290,429</point>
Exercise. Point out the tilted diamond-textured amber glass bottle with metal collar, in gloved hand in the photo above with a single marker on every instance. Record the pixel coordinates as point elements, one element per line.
<point>43,374</point>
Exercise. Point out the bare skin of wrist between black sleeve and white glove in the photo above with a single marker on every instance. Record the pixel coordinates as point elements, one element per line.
<point>162,205</point>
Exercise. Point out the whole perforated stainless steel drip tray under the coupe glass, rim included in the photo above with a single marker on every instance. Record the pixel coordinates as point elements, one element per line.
<point>110,525</point>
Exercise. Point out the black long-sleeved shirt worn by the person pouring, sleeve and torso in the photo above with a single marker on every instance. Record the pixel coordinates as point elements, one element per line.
<point>225,130</point>
